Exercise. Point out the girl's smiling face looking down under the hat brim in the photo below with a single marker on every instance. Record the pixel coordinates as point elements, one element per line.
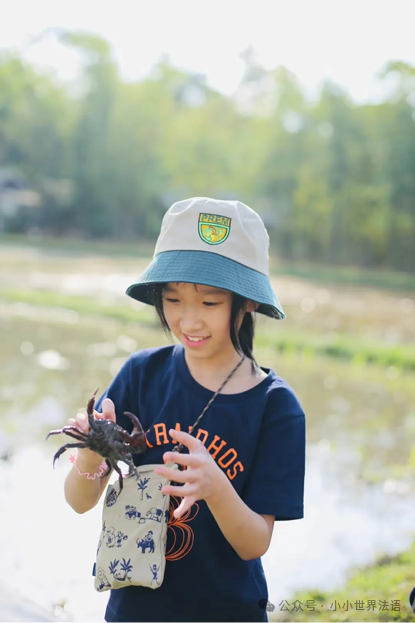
<point>202,313</point>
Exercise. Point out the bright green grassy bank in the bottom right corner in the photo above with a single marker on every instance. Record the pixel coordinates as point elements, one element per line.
<point>375,593</point>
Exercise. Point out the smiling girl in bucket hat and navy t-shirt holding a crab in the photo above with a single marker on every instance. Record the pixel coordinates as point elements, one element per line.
<point>244,465</point>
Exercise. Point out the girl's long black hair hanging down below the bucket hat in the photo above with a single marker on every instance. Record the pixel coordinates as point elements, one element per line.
<point>243,341</point>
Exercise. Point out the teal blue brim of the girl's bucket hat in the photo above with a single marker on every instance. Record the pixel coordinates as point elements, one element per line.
<point>208,269</point>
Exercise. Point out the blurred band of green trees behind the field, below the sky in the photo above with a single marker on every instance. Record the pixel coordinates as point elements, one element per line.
<point>333,180</point>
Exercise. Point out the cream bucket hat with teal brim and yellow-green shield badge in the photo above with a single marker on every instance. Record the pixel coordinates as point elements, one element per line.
<point>218,243</point>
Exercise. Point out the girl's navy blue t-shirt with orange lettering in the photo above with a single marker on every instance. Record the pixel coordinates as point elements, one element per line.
<point>257,438</point>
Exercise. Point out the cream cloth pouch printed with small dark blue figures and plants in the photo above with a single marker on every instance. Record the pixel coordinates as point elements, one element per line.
<point>132,544</point>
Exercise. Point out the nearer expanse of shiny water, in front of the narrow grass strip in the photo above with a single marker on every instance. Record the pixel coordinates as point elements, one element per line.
<point>359,500</point>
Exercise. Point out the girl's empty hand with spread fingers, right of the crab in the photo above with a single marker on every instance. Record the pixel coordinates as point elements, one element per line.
<point>202,479</point>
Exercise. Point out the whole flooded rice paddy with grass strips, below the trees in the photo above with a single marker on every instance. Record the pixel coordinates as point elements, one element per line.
<point>346,347</point>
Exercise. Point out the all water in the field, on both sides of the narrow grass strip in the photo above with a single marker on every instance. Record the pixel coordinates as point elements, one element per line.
<point>360,486</point>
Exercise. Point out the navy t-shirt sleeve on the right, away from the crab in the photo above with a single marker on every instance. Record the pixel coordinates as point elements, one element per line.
<point>275,484</point>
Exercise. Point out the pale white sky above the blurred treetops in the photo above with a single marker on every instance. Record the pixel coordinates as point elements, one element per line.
<point>346,41</point>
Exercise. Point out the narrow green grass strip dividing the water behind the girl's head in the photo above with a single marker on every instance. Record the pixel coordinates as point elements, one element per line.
<point>336,346</point>
